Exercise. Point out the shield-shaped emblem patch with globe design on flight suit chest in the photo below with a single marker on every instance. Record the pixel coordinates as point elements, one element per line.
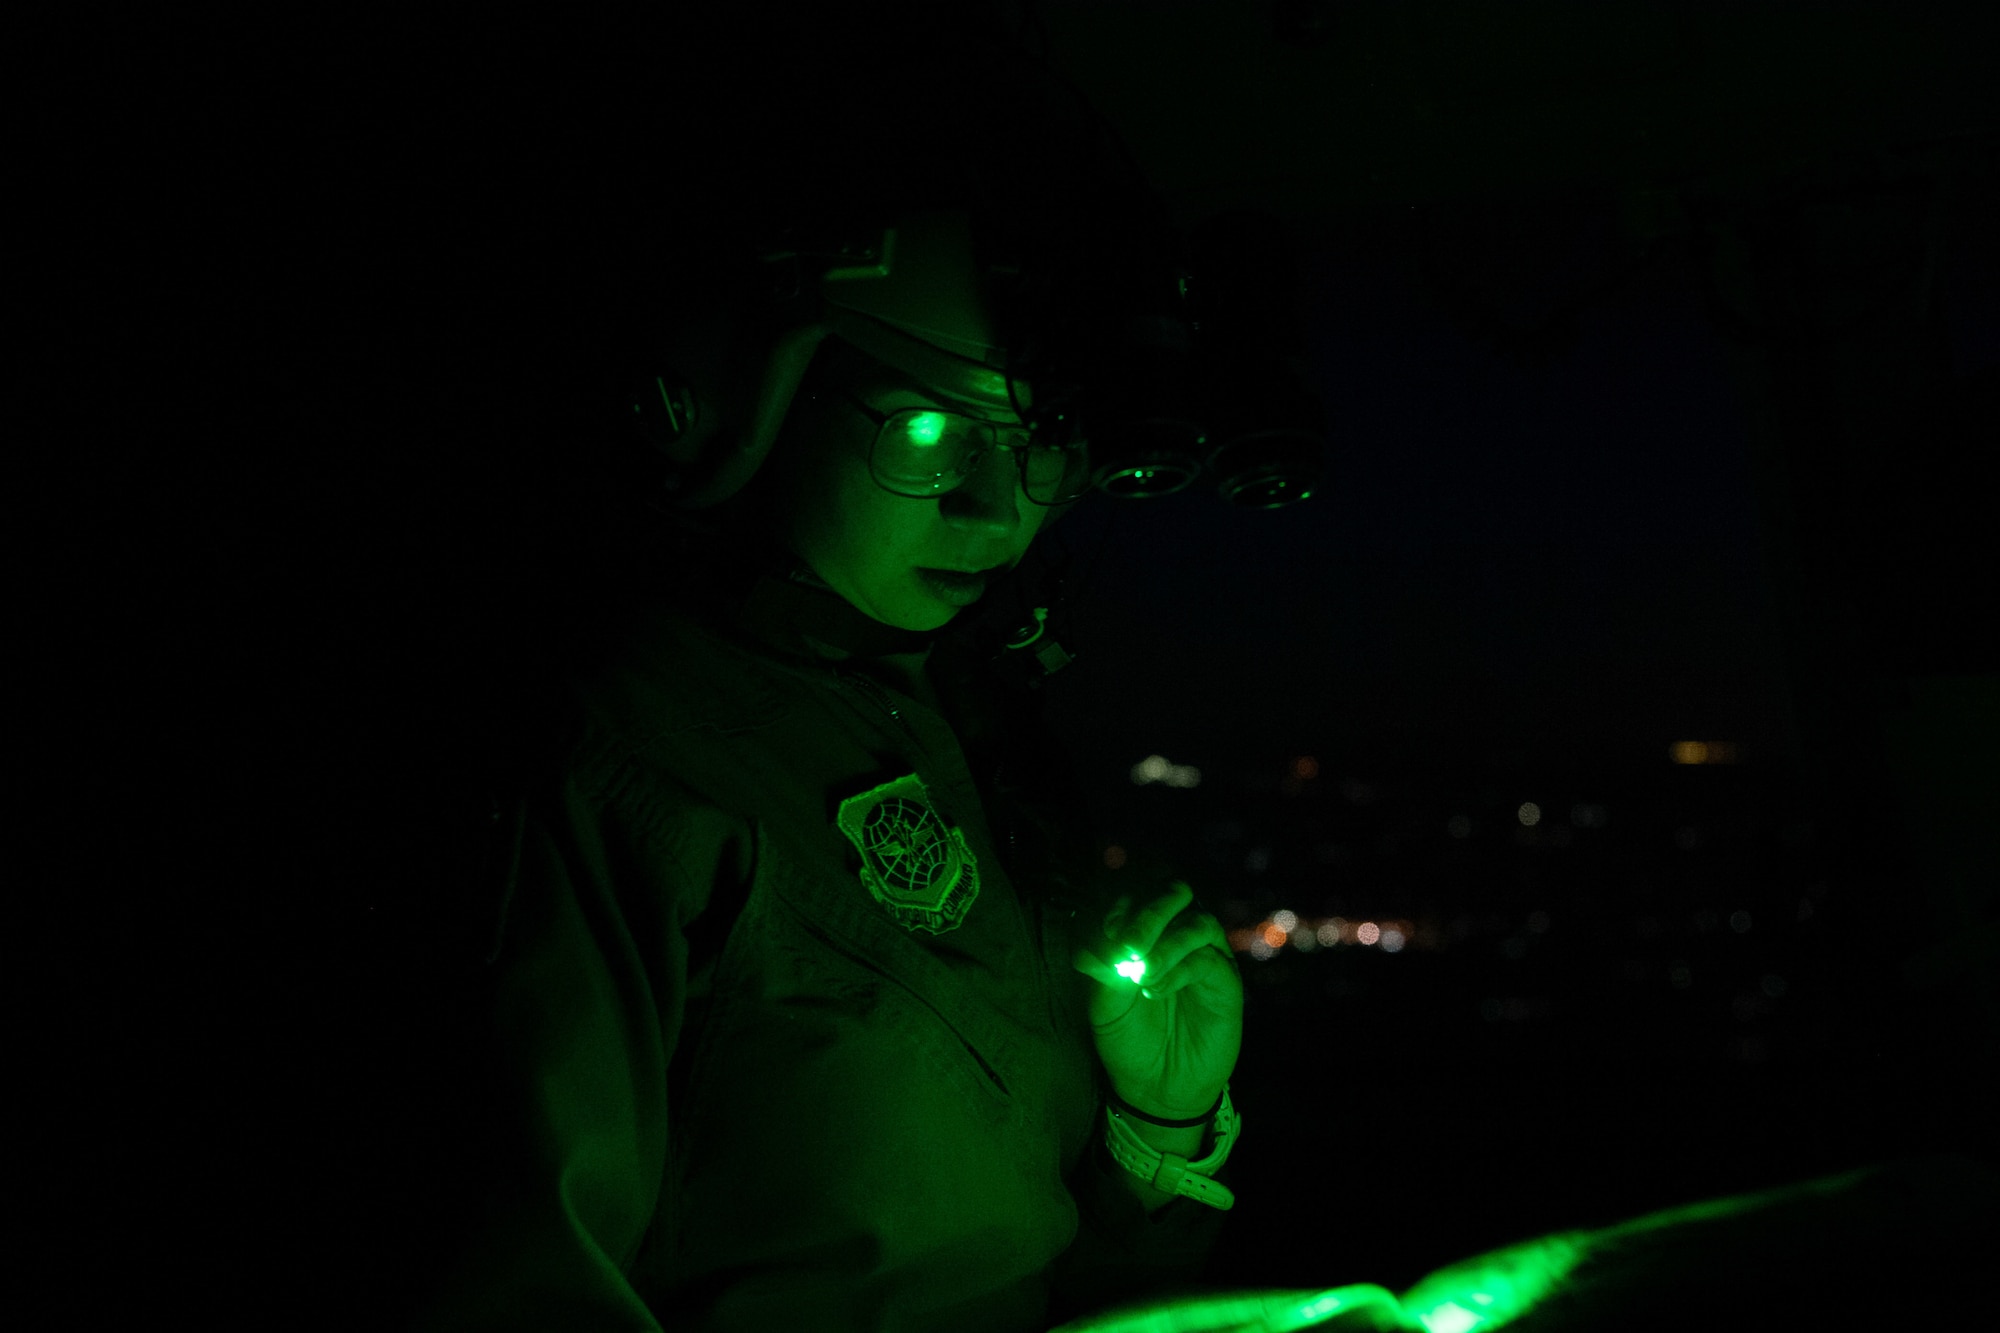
<point>913,866</point>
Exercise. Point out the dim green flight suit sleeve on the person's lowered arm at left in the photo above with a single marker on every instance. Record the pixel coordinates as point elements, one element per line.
<point>585,1014</point>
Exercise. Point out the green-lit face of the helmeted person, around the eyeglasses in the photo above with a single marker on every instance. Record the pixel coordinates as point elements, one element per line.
<point>873,545</point>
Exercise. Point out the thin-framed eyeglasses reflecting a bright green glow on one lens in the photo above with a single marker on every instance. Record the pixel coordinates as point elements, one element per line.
<point>927,453</point>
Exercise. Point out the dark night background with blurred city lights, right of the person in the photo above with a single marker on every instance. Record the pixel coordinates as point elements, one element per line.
<point>1661,353</point>
